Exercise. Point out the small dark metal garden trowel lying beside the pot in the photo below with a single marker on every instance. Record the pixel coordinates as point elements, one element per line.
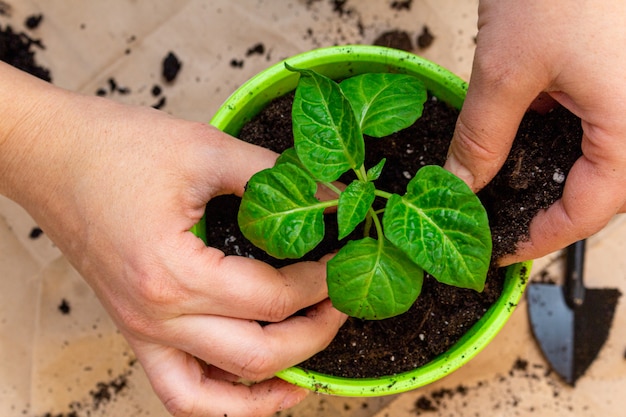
<point>571,322</point>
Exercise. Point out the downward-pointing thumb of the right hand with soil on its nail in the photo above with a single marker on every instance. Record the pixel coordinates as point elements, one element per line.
<point>498,96</point>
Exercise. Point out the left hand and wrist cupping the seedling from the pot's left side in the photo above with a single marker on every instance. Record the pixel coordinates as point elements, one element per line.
<point>117,188</point>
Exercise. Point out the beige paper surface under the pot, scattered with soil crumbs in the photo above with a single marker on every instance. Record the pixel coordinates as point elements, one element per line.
<point>78,364</point>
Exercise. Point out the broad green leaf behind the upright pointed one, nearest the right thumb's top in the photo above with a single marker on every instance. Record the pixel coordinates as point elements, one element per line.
<point>385,103</point>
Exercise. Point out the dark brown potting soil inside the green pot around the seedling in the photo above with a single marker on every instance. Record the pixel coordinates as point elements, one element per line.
<point>531,180</point>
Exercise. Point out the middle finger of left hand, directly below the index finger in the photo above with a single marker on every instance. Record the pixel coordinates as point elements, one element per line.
<point>251,350</point>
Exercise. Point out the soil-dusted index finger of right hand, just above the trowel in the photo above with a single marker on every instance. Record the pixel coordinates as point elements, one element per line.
<point>577,214</point>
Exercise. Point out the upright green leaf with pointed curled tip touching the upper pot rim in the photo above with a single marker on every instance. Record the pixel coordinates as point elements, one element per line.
<point>327,137</point>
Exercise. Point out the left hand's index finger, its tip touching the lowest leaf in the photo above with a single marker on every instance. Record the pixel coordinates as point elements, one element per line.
<point>247,288</point>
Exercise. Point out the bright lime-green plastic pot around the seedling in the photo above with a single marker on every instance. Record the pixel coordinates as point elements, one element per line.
<point>338,63</point>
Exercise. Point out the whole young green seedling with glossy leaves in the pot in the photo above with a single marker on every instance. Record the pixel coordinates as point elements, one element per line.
<point>438,225</point>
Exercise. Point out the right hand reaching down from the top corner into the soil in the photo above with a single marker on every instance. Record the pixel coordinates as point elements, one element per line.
<point>574,53</point>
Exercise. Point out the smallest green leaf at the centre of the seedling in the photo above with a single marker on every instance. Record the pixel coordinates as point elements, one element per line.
<point>354,202</point>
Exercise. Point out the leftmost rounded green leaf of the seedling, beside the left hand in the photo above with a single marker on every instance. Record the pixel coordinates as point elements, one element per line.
<point>279,212</point>
